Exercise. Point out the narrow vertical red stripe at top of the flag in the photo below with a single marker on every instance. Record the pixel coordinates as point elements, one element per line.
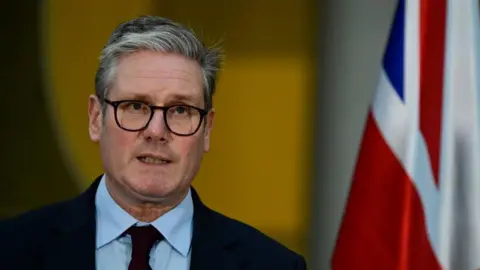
<point>432,54</point>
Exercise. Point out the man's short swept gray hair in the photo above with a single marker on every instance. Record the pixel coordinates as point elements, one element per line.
<point>161,35</point>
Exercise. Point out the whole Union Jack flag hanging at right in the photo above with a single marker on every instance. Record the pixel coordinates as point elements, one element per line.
<point>414,202</point>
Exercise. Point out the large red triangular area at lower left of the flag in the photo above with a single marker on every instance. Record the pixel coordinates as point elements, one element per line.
<point>384,223</point>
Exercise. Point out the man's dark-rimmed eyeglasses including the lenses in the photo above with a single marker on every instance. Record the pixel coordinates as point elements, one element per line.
<point>135,115</point>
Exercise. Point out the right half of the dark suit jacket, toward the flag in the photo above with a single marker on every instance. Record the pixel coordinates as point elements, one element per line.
<point>251,248</point>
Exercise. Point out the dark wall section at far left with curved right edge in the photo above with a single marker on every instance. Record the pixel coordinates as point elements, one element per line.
<point>32,172</point>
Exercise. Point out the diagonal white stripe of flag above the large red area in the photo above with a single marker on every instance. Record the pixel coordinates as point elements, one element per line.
<point>395,123</point>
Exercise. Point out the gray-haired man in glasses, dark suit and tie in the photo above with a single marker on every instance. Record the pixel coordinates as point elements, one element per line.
<point>152,116</point>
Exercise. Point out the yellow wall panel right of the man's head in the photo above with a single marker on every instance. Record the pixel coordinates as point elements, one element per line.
<point>256,168</point>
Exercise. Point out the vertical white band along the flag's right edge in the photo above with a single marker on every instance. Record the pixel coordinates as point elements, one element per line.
<point>460,158</point>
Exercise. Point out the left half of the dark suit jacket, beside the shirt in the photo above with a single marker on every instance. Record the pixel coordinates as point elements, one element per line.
<point>50,236</point>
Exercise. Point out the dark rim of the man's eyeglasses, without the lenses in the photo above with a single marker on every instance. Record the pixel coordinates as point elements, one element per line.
<point>153,108</point>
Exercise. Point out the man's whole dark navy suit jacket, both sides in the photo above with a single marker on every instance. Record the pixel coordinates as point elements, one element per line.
<point>62,236</point>
